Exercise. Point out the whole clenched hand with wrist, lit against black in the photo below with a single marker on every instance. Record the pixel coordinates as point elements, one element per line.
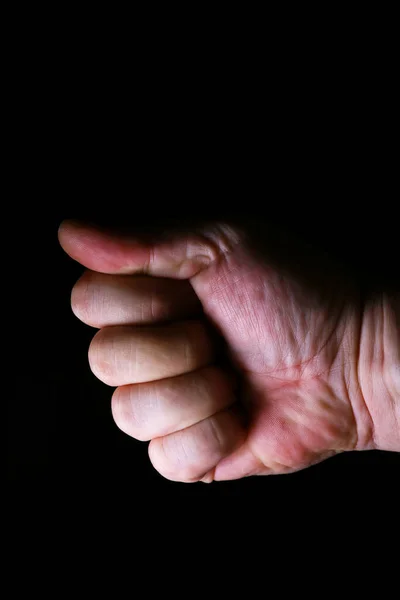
<point>235,353</point>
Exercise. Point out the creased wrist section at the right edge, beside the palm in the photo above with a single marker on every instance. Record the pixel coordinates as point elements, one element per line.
<point>379,369</point>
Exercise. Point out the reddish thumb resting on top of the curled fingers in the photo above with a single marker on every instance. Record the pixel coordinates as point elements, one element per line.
<point>174,254</point>
